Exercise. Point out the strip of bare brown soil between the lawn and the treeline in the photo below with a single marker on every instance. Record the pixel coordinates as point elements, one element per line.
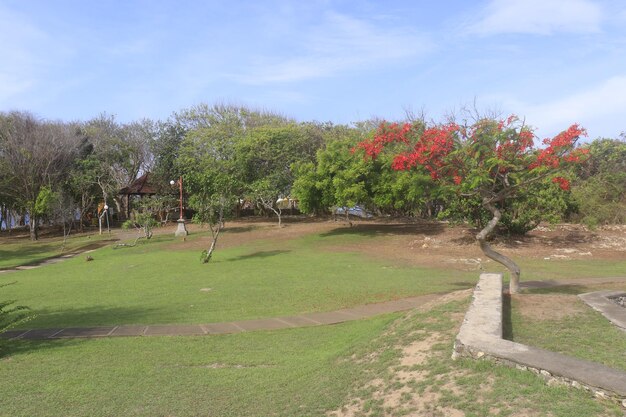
<point>431,243</point>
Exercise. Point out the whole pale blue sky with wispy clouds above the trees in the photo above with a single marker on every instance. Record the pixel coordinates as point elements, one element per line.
<point>553,62</point>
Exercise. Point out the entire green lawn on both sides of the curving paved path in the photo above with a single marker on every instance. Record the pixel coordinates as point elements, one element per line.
<point>294,372</point>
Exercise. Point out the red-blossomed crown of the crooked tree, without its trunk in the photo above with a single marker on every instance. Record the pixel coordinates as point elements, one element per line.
<point>491,150</point>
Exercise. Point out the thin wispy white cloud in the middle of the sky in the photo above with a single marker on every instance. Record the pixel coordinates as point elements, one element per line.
<point>339,44</point>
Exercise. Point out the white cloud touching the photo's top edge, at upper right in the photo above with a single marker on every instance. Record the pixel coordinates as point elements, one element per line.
<point>540,17</point>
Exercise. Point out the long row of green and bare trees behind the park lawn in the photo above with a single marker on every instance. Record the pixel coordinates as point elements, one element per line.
<point>54,172</point>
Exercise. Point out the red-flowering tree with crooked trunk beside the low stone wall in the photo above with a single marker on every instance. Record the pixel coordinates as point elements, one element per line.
<point>492,159</point>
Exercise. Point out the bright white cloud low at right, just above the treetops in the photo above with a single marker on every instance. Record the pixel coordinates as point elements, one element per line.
<point>599,109</point>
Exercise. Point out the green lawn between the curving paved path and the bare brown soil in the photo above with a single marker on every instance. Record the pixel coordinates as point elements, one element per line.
<point>157,282</point>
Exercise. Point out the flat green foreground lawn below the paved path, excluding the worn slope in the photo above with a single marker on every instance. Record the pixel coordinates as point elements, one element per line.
<point>296,372</point>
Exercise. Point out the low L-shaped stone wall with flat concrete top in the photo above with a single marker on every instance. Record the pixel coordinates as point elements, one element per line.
<point>480,336</point>
